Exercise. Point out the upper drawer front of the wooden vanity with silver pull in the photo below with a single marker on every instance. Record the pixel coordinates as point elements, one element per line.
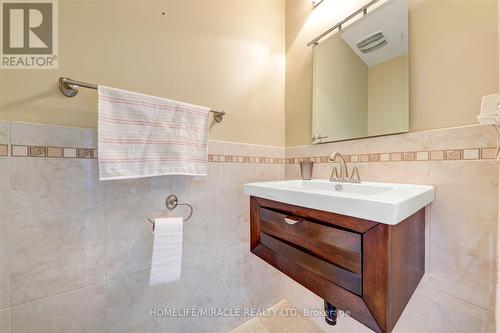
<point>333,245</point>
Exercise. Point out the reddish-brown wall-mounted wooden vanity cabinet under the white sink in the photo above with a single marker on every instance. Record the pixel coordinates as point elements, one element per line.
<point>367,268</point>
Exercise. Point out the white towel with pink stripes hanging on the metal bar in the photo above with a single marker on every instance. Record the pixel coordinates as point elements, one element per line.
<point>145,136</point>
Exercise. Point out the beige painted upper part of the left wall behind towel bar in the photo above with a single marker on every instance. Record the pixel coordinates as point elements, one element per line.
<point>227,55</point>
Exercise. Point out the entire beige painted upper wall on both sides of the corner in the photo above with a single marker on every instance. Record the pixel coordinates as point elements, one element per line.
<point>230,55</point>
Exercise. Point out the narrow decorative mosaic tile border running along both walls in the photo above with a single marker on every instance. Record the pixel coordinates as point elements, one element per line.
<point>466,154</point>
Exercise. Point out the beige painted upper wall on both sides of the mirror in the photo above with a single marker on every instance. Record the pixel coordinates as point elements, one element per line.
<point>453,60</point>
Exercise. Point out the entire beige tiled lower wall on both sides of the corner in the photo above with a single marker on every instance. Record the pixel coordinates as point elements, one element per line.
<point>79,239</point>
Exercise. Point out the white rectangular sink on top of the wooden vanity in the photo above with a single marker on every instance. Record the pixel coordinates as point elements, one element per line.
<point>380,202</point>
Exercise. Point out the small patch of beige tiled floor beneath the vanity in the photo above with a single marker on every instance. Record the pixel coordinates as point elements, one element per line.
<point>278,322</point>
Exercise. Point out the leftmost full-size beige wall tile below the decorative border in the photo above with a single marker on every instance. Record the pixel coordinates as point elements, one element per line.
<point>58,243</point>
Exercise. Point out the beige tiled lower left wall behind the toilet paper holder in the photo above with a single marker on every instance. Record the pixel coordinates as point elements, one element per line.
<point>81,250</point>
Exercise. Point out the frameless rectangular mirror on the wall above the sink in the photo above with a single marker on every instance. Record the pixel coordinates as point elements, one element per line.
<point>361,77</point>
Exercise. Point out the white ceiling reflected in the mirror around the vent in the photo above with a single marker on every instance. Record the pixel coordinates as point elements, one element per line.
<point>392,19</point>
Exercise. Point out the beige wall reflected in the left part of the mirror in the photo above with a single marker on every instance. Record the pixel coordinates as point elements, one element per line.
<point>340,90</point>
